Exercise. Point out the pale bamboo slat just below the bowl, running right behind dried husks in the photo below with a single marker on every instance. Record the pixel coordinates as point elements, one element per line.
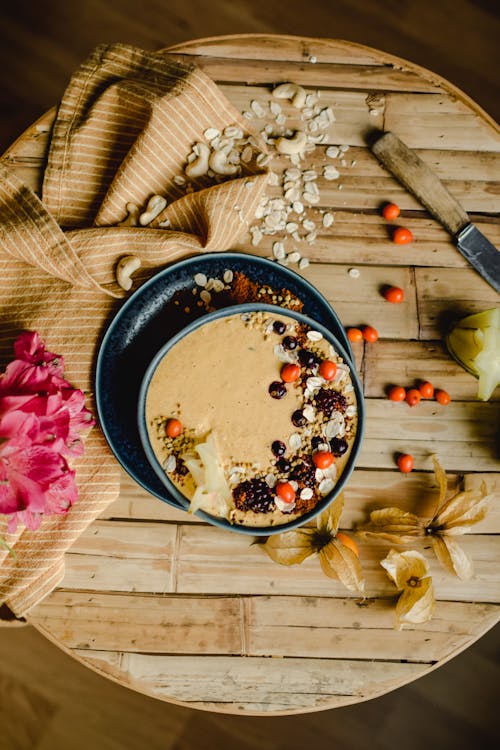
<point>207,565</point>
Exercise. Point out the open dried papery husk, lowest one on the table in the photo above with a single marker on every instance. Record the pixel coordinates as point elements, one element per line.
<point>409,572</point>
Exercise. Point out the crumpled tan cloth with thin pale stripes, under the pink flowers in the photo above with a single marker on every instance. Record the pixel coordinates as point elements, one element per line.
<point>123,130</point>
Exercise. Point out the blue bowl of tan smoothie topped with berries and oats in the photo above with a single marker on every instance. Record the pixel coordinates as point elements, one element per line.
<point>252,417</point>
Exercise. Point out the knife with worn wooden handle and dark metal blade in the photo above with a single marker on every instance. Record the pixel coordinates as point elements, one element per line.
<point>419,179</point>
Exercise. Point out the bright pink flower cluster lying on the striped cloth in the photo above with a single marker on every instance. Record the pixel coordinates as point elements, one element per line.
<point>41,421</point>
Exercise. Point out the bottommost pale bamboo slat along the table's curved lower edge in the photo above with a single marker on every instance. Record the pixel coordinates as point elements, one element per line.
<point>267,685</point>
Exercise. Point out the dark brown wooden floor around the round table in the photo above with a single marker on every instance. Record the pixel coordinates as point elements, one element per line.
<point>47,700</point>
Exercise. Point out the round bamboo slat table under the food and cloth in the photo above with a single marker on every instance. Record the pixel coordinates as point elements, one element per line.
<point>191,614</point>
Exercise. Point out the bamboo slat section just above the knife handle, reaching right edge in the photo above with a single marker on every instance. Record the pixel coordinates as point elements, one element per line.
<point>438,120</point>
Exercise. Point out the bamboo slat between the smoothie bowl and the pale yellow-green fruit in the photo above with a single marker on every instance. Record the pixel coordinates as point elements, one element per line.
<point>408,362</point>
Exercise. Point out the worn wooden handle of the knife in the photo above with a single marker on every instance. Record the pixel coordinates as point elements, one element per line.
<point>416,176</point>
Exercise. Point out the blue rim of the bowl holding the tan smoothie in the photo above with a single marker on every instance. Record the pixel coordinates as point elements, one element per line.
<point>172,489</point>
